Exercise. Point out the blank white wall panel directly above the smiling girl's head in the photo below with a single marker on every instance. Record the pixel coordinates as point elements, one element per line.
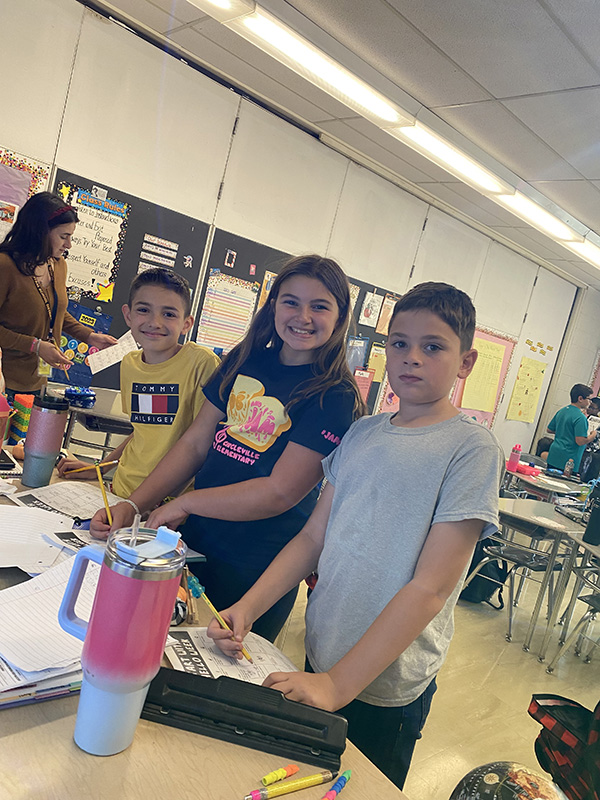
<point>281,186</point>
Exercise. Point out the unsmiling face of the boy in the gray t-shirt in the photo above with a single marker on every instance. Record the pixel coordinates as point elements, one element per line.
<point>423,359</point>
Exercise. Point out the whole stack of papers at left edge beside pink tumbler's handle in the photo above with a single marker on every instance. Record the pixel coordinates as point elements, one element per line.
<point>39,660</point>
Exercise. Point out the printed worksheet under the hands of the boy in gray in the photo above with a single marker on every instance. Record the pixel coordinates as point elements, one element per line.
<point>191,650</point>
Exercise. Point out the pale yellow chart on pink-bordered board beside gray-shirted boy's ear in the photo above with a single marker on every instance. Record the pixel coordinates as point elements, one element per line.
<point>478,395</point>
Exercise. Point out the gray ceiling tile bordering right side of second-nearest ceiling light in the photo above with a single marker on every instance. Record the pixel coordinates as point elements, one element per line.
<point>493,128</point>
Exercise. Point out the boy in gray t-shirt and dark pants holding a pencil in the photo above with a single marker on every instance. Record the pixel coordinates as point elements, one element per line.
<point>408,496</point>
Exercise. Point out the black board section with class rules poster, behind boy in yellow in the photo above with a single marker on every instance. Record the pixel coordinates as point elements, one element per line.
<point>118,235</point>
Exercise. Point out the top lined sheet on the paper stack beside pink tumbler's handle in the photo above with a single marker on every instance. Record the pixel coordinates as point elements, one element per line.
<point>30,637</point>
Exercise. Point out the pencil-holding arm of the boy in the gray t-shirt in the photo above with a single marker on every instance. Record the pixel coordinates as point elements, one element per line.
<point>297,560</point>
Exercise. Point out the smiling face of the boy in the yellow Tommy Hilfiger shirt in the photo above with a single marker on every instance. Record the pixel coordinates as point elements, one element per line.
<point>157,319</point>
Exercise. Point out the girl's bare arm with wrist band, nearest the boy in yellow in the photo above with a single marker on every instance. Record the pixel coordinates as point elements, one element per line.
<point>172,472</point>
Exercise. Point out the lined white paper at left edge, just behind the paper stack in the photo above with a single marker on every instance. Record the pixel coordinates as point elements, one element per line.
<point>21,537</point>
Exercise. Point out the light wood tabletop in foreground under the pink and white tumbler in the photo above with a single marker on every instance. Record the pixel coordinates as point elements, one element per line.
<point>38,758</point>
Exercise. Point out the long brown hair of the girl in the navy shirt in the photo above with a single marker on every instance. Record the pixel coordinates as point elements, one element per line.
<point>330,367</point>
